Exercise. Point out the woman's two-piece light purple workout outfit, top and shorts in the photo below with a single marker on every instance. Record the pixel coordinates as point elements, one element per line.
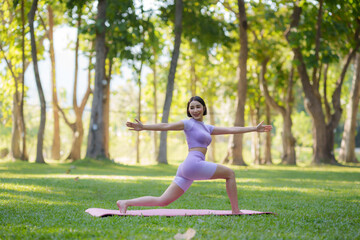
<point>195,167</point>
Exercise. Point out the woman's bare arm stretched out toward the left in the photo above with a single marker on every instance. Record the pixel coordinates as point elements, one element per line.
<point>138,126</point>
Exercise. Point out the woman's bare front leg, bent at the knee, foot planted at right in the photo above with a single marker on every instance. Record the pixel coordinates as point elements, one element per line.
<point>223,172</point>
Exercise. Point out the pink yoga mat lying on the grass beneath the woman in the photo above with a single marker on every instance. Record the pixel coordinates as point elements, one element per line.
<point>100,212</point>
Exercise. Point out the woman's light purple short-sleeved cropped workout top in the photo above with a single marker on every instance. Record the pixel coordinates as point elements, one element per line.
<point>197,133</point>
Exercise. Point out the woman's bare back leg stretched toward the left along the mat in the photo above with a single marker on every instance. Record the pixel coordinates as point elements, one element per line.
<point>172,193</point>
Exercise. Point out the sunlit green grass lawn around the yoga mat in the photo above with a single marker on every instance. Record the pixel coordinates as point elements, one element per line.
<point>46,202</point>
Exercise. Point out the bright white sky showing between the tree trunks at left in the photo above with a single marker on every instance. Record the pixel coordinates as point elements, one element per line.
<point>64,44</point>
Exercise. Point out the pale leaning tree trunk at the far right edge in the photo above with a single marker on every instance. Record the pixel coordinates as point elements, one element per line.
<point>347,151</point>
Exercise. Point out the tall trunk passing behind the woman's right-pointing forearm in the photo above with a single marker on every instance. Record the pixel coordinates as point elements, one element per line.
<point>236,147</point>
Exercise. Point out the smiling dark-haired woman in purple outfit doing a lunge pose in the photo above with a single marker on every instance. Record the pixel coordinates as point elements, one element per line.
<point>194,167</point>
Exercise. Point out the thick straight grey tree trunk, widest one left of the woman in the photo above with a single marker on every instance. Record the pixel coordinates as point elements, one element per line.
<point>96,145</point>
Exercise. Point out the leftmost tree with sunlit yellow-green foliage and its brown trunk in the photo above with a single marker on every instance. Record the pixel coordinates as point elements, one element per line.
<point>12,51</point>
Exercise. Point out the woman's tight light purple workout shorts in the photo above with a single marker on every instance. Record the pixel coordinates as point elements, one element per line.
<point>194,168</point>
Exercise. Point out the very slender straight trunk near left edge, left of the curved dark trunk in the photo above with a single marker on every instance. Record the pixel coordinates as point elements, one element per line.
<point>24,155</point>
